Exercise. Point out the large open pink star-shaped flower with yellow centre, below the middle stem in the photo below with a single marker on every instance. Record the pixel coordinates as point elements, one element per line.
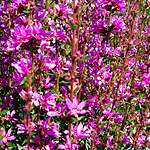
<point>75,108</point>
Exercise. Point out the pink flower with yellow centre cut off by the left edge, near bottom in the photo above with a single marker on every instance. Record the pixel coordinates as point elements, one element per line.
<point>6,137</point>
